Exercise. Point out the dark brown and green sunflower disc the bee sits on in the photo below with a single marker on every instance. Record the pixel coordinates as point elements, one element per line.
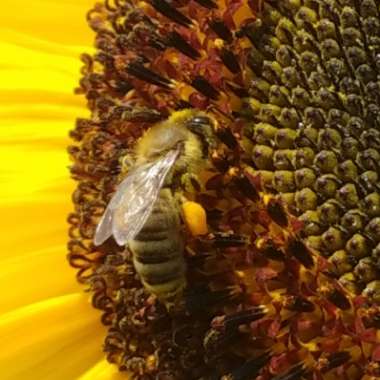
<point>286,283</point>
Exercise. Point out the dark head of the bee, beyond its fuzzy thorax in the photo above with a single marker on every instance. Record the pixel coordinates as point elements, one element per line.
<point>204,127</point>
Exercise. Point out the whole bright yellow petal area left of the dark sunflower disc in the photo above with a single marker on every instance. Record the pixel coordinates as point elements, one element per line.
<point>47,329</point>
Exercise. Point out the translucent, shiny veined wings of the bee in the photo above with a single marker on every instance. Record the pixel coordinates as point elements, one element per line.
<point>133,201</point>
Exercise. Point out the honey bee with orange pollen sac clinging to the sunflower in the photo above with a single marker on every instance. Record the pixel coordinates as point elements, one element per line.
<point>145,211</point>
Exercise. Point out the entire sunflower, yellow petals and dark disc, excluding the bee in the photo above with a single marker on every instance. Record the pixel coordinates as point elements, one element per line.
<point>288,316</point>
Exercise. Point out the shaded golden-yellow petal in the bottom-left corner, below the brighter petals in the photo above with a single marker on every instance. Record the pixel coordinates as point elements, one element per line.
<point>58,338</point>
